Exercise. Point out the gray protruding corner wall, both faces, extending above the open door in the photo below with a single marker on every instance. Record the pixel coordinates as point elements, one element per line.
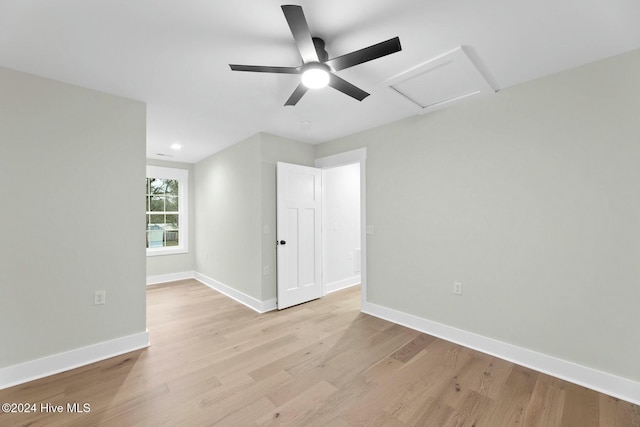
<point>234,201</point>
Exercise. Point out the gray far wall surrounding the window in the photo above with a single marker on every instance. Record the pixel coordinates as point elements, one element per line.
<point>176,263</point>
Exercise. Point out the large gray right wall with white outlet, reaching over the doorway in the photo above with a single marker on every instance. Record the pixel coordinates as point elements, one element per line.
<point>531,198</point>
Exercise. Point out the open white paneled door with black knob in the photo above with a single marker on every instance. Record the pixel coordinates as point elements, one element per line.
<point>299,199</point>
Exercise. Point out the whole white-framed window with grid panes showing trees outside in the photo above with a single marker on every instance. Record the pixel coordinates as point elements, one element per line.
<point>166,206</point>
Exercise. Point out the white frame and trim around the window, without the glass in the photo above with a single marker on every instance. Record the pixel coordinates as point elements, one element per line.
<point>182,176</point>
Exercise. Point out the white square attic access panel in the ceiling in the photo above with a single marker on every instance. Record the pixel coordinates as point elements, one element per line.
<point>441,81</point>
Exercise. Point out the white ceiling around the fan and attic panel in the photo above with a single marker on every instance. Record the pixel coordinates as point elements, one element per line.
<point>174,55</point>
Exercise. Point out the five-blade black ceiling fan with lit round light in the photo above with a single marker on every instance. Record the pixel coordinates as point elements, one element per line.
<point>317,69</point>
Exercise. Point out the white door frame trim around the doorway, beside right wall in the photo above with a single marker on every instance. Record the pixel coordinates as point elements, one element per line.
<point>347,158</point>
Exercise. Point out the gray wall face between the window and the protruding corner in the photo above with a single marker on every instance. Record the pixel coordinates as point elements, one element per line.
<point>228,217</point>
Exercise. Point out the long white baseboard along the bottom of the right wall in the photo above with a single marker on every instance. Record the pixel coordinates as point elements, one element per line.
<point>602,382</point>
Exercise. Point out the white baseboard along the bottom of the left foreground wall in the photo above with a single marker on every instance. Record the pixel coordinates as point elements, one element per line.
<point>54,364</point>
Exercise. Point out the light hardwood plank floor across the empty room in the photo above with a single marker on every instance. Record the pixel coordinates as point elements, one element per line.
<point>215,362</point>
